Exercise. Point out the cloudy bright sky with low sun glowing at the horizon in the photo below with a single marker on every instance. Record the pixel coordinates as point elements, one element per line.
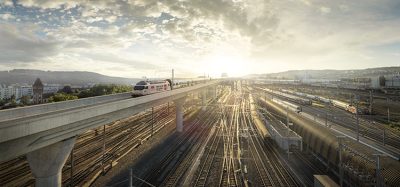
<point>136,38</point>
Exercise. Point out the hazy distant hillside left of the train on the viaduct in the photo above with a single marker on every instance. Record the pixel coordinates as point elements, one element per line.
<point>60,77</point>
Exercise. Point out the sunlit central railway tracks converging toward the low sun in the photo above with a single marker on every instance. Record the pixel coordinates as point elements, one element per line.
<point>236,145</point>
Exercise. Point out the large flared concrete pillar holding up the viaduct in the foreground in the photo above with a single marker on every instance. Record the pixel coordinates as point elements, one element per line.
<point>47,163</point>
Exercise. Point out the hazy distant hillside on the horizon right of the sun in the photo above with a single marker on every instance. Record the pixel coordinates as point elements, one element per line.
<point>331,74</point>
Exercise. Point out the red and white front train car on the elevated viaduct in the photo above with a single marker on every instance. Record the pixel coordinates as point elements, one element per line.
<point>151,87</point>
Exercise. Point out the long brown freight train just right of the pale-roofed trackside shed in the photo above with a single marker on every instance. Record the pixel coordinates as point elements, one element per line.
<point>321,141</point>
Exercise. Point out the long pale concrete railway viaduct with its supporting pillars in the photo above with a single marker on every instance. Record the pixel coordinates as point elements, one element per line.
<point>46,133</point>
